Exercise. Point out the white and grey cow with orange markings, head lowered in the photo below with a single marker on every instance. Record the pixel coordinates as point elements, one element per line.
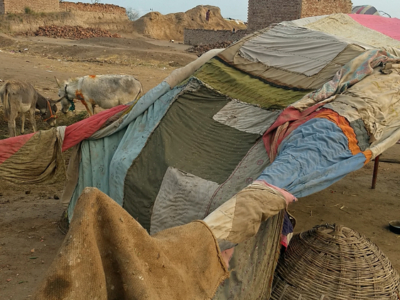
<point>106,91</point>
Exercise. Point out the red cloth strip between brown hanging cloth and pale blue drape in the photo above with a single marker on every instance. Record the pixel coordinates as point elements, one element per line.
<point>81,130</point>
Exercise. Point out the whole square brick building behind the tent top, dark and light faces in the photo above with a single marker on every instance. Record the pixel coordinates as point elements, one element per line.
<point>262,13</point>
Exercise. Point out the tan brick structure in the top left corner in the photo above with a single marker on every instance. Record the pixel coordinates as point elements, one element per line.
<point>18,6</point>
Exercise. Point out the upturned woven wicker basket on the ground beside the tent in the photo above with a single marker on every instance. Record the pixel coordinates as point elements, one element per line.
<point>334,262</point>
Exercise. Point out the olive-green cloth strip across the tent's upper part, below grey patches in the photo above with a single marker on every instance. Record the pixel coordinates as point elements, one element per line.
<point>239,85</point>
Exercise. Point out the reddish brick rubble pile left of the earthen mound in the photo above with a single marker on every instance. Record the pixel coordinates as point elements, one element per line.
<point>71,32</point>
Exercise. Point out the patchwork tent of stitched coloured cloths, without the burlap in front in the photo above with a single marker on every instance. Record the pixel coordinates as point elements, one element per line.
<point>297,105</point>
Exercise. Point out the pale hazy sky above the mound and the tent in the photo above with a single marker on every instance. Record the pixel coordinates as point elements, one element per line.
<point>236,9</point>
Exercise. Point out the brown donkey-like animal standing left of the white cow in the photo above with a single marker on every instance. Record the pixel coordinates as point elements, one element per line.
<point>19,97</point>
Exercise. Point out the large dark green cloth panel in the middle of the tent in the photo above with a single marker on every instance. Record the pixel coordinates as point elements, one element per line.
<point>187,139</point>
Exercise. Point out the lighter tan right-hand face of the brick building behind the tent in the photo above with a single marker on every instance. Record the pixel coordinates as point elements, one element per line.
<point>325,7</point>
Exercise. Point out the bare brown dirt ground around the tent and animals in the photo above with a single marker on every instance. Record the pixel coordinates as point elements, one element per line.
<point>29,236</point>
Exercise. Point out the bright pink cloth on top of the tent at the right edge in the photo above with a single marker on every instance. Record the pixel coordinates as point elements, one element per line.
<point>387,26</point>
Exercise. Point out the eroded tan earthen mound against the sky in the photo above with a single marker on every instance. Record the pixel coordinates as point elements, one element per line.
<point>171,26</point>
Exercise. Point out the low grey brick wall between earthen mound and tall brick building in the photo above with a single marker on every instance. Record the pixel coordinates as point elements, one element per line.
<point>205,37</point>
